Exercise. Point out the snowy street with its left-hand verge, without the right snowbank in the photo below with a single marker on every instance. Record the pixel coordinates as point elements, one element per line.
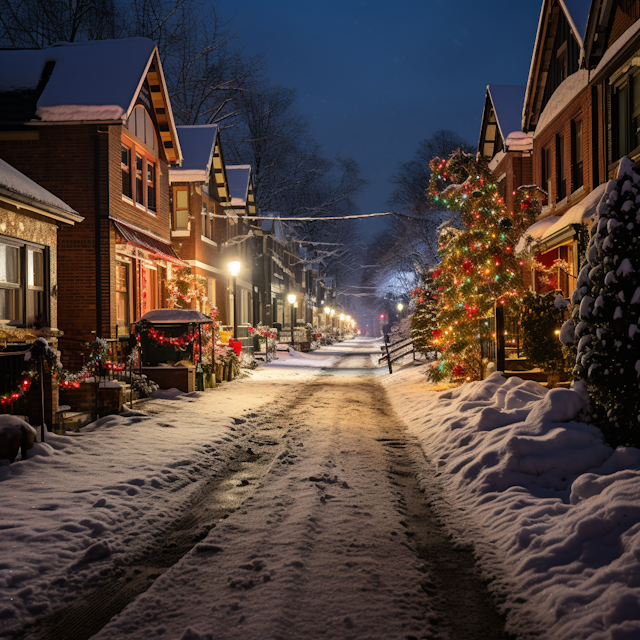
<point>332,538</point>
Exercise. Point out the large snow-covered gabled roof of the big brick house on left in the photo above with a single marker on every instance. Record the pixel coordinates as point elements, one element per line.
<point>86,81</point>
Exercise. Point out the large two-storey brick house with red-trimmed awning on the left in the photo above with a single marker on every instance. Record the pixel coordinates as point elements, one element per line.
<point>92,122</point>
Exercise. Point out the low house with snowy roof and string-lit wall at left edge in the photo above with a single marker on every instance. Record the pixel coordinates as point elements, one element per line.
<point>30,217</point>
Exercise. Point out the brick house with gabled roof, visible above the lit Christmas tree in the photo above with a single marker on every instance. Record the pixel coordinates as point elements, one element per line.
<point>502,143</point>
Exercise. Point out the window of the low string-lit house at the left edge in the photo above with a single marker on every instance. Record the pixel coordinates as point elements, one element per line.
<point>23,284</point>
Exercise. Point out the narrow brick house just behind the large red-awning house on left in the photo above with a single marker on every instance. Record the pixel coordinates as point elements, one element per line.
<point>199,193</point>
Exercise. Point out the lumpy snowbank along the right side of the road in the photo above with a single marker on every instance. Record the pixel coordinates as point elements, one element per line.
<point>552,510</point>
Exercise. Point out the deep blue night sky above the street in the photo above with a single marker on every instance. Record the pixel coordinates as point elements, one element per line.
<point>375,77</point>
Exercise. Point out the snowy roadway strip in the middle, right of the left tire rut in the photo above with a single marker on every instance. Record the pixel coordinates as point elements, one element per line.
<point>326,547</point>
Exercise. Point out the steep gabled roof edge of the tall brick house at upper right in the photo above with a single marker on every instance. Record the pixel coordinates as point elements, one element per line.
<point>576,13</point>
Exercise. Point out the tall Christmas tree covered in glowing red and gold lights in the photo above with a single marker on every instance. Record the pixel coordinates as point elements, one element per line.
<point>479,266</point>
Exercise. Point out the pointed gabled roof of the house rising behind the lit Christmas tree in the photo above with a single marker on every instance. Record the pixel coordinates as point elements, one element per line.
<point>502,110</point>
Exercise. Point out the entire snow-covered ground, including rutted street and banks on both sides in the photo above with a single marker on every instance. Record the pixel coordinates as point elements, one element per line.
<point>322,498</point>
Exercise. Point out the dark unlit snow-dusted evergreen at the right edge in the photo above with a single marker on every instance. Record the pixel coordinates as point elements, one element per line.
<point>604,324</point>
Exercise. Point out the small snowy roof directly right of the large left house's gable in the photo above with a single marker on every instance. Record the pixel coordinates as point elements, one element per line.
<point>197,143</point>
